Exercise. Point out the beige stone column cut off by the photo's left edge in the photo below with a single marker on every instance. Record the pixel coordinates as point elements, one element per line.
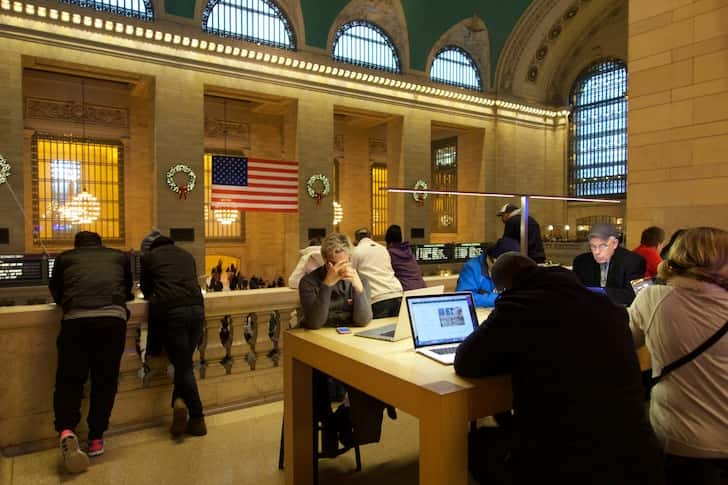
<point>11,148</point>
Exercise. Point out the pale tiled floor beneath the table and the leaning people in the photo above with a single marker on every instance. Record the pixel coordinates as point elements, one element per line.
<point>241,448</point>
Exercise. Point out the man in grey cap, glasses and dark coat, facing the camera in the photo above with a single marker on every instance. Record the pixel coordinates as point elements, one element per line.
<point>608,265</point>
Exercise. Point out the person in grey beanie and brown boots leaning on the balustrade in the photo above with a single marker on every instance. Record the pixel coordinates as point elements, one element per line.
<point>169,282</point>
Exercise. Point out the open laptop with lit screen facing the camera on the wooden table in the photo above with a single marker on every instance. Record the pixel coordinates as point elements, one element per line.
<point>440,323</point>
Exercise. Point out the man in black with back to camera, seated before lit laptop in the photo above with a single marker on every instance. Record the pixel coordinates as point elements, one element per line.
<point>579,416</point>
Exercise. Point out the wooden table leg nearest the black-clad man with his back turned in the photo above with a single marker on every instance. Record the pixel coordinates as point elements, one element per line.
<point>444,443</point>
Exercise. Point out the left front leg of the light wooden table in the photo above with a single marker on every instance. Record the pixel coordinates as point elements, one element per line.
<point>298,421</point>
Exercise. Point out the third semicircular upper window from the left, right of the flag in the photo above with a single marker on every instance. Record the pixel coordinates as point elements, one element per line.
<point>364,44</point>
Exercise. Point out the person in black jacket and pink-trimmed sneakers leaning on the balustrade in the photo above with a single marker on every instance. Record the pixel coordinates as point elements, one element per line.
<point>92,284</point>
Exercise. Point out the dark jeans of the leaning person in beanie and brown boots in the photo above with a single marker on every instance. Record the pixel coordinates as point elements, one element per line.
<point>182,333</point>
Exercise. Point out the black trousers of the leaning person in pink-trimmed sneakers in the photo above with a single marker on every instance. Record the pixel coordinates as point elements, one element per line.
<point>88,345</point>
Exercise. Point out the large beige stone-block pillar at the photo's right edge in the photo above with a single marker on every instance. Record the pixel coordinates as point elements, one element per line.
<point>678,116</point>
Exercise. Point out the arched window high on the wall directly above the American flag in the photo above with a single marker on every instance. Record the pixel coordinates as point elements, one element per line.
<point>259,21</point>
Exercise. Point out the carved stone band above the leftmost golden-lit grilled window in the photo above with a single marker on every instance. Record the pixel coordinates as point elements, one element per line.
<point>49,109</point>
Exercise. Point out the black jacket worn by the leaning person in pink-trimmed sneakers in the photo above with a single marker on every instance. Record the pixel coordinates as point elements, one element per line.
<point>90,277</point>
